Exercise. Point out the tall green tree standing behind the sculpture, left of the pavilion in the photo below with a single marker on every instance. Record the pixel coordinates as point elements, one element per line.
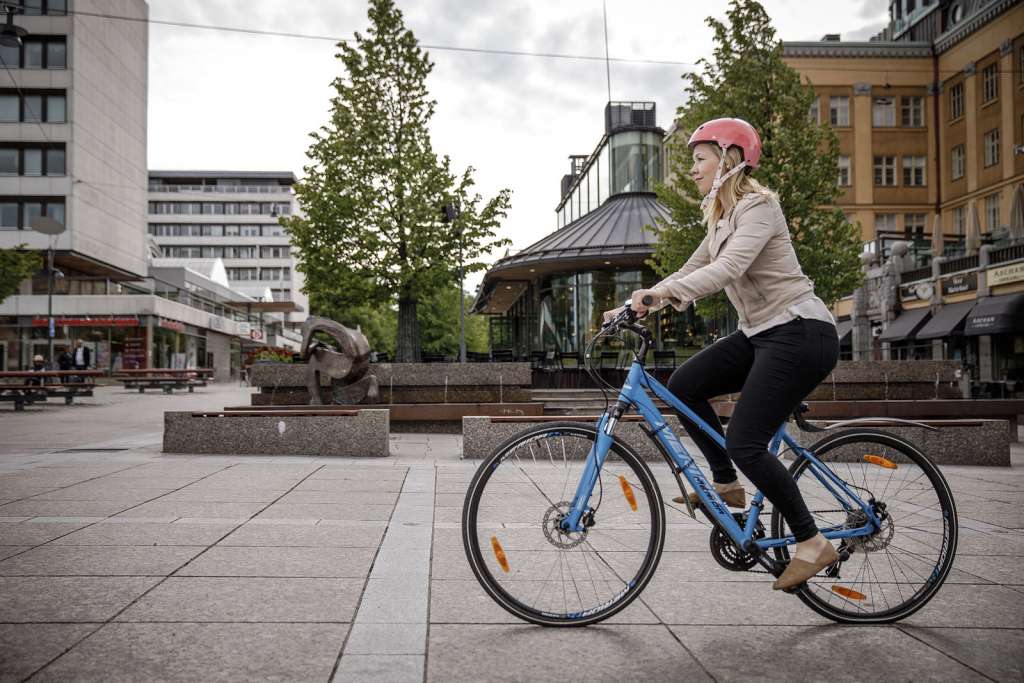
<point>372,233</point>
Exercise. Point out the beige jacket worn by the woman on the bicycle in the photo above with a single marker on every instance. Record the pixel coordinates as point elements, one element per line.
<point>750,255</point>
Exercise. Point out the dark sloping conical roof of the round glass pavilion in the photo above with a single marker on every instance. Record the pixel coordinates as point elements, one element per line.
<point>615,230</point>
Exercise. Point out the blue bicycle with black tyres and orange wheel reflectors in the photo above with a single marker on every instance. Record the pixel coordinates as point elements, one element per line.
<point>565,524</point>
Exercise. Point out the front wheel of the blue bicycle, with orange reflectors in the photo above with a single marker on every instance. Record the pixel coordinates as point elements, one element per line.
<point>522,557</point>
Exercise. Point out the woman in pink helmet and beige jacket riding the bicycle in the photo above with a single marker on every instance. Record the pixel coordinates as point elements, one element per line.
<point>787,344</point>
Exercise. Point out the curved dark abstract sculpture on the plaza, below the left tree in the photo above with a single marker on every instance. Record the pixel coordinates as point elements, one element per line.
<point>348,369</point>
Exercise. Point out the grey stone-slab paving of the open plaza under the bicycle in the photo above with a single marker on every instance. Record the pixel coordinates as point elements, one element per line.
<point>118,563</point>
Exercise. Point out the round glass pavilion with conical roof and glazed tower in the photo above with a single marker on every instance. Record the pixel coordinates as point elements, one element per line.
<point>550,296</point>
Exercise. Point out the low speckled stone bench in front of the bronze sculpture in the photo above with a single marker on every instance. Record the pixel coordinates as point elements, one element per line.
<point>316,432</point>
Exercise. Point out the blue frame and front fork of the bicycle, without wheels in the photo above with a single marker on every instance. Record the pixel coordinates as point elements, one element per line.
<point>633,395</point>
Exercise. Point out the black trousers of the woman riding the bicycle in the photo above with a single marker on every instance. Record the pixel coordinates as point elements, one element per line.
<point>775,371</point>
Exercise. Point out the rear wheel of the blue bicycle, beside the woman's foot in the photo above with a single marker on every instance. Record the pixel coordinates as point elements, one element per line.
<point>894,573</point>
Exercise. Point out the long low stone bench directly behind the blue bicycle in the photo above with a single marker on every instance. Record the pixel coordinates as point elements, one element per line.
<point>985,443</point>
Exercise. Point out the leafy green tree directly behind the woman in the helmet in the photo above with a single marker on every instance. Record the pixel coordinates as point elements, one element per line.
<point>747,78</point>
